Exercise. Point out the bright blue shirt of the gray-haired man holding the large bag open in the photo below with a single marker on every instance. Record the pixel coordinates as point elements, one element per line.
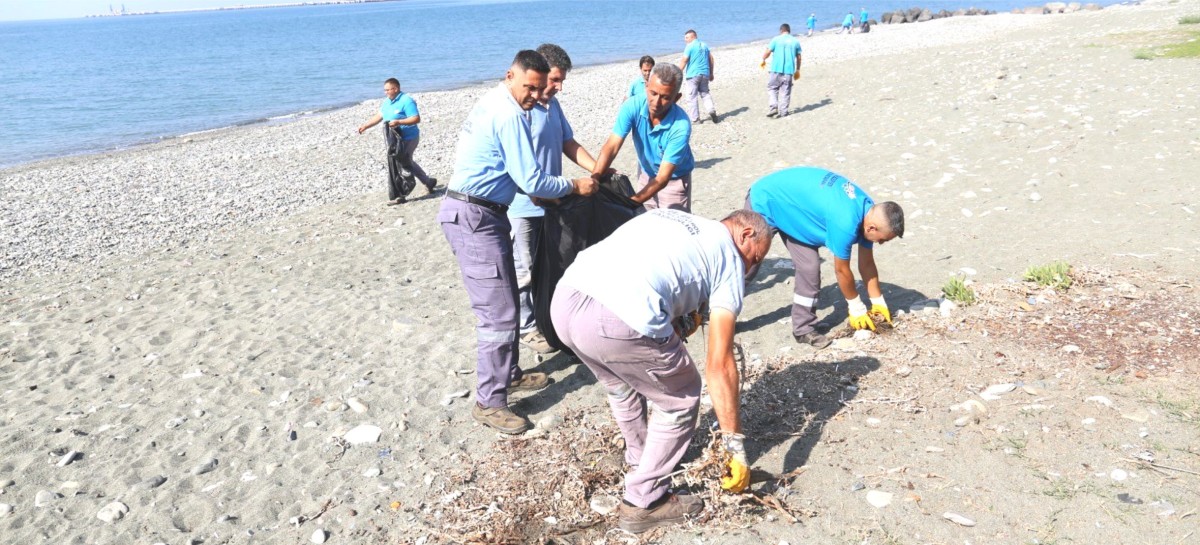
<point>669,142</point>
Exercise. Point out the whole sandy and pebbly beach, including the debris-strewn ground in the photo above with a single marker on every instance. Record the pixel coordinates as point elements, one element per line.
<point>191,328</point>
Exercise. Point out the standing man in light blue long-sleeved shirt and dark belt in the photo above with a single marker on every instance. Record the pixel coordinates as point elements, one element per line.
<point>496,160</point>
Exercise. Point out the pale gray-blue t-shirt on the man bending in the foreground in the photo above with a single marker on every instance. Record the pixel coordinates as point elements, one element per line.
<point>659,267</point>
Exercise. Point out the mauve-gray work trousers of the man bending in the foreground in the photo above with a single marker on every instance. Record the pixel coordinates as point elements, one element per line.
<point>653,388</point>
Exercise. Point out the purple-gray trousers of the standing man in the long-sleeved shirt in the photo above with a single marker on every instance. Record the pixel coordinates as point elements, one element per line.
<point>481,242</point>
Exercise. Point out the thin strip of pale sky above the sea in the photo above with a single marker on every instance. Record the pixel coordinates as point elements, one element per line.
<point>25,10</point>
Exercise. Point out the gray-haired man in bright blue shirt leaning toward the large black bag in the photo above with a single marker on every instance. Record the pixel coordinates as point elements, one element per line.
<point>662,139</point>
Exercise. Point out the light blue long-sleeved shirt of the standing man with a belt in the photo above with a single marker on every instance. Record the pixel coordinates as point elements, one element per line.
<point>496,155</point>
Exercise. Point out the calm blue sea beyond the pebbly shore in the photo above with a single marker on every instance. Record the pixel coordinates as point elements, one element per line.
<point>81,86</point>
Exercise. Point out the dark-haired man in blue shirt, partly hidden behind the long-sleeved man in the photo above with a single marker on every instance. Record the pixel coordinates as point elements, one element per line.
<point>553,139</point>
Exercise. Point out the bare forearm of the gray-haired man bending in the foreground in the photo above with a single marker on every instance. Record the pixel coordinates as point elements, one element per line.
<point>722,372</point>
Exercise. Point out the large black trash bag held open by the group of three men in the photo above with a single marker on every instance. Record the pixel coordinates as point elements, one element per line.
<point>569,227</point>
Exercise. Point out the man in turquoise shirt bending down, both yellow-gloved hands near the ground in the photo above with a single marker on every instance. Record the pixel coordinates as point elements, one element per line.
<point>813,208</point>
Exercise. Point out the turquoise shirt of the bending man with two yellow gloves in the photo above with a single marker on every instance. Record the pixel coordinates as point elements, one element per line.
<point>815,207</point>
